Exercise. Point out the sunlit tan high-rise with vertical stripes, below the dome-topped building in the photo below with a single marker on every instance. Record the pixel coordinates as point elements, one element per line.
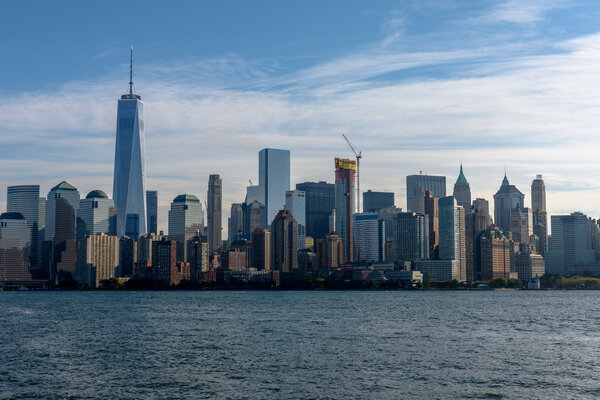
<point>102,259</point>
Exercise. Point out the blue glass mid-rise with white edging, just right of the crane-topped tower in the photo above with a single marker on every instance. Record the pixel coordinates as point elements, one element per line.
<point>369,237</point>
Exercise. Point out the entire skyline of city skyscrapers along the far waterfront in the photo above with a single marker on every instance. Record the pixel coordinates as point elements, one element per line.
<point>314,229</point>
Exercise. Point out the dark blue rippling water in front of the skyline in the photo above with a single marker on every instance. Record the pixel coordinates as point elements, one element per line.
<point>288,345</point>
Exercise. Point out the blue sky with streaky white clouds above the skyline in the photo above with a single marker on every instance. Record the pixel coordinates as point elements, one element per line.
<point>416,85</point>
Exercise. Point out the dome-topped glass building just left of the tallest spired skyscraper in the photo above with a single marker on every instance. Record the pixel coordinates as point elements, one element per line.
<point>97,214</point>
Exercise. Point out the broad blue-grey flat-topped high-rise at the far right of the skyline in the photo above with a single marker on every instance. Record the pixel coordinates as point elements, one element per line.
<point>570,244</point>
